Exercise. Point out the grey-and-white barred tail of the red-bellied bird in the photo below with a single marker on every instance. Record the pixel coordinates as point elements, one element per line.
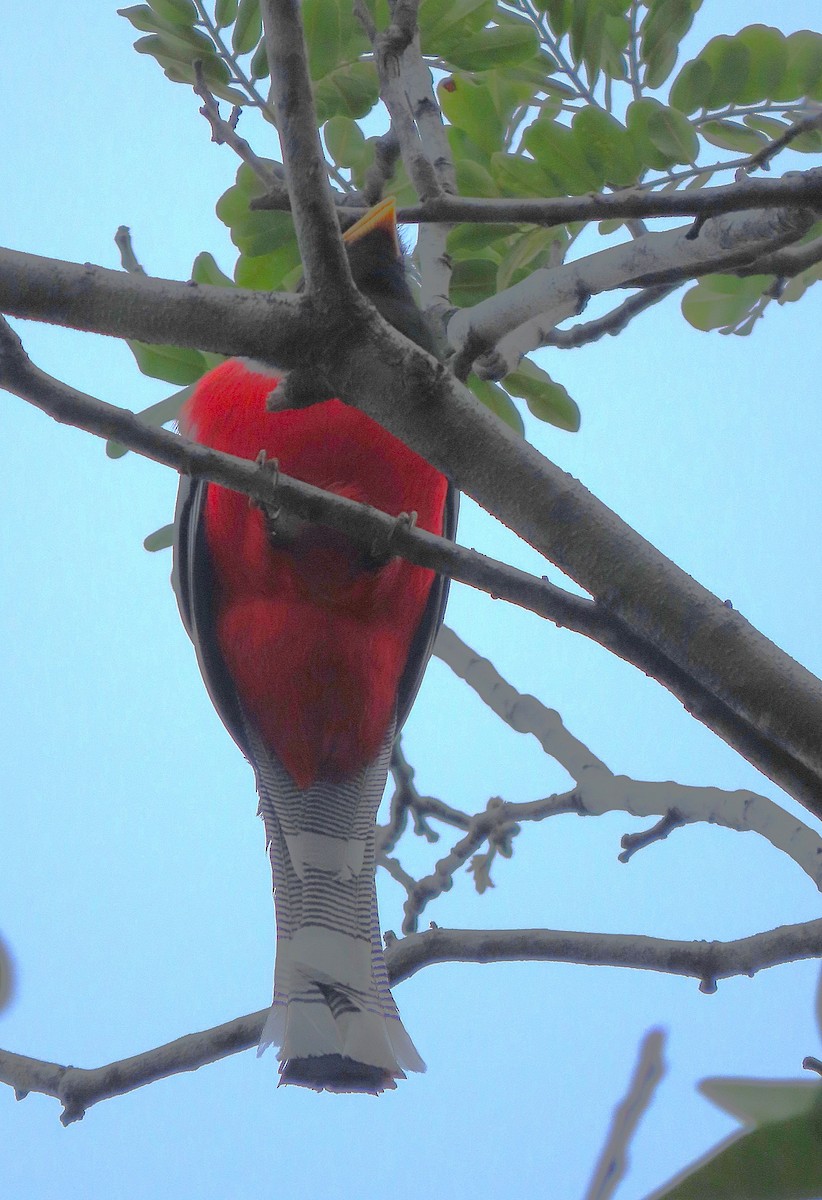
<point>333,1016</point>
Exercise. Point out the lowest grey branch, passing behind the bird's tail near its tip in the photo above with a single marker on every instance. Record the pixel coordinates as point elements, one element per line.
<point>79,1089</point>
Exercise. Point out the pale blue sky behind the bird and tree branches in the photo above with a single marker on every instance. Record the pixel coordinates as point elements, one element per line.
<point>135,887</point>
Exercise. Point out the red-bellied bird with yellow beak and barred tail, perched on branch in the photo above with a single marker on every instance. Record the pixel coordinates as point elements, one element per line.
<point>313,649</point>
